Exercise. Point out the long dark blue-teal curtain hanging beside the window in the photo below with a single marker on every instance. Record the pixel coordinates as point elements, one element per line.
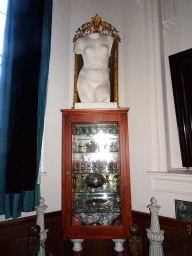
<point>23,84</point>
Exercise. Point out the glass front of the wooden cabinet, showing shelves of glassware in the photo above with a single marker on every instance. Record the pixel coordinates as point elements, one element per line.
<point>95,175</point>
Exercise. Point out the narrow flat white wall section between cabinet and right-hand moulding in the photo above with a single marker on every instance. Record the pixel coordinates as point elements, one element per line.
<point>136,97</point>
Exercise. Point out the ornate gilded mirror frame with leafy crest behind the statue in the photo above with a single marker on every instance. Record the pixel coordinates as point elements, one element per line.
<point>102,27</point>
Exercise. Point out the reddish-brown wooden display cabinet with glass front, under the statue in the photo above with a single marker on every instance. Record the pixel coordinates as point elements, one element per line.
<point>96,193</point>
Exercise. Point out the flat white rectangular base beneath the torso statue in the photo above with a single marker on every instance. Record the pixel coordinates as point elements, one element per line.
<point>96,105</point>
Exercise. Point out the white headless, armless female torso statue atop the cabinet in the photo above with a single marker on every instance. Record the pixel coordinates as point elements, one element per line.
<point>93,83</point>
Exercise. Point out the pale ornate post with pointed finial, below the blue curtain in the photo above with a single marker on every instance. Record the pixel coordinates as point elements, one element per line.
<point>40,209</point>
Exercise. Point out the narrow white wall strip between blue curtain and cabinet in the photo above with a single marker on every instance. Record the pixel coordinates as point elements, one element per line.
<point>57,98</point>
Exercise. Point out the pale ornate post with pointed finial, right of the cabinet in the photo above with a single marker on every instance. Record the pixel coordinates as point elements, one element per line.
<point>154,234</point>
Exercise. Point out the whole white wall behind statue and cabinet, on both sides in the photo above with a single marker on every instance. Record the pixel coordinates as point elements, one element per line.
<point>142,87</point>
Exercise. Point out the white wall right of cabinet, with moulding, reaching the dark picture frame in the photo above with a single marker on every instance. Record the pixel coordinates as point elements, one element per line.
<point>154,144</point>
